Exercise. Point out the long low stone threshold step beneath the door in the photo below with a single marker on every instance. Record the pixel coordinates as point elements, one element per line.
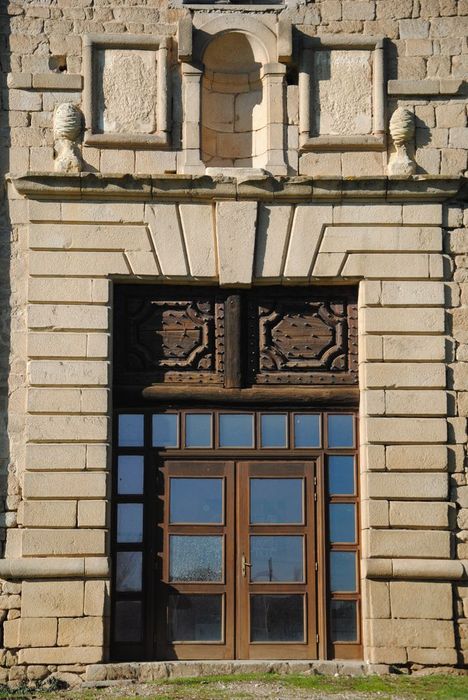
<point>141,672</point>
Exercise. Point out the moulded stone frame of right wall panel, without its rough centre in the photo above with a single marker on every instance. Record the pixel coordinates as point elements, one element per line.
<point>377,139</point>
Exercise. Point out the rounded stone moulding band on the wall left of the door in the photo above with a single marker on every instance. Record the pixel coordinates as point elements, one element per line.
<point>49,567</point>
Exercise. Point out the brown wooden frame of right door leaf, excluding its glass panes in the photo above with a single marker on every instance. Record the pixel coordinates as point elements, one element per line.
<point>245,649</point>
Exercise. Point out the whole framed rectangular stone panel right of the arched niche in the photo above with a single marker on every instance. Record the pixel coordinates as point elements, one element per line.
<point>341,93</point>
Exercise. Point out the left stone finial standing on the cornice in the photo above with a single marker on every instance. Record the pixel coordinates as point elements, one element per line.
<point>67,129</point>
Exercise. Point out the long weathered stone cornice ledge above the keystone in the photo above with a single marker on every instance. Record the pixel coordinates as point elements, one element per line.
<point>92,186</point>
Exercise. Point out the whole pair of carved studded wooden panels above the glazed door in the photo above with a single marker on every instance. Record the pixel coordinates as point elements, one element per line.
<point>178,337</point>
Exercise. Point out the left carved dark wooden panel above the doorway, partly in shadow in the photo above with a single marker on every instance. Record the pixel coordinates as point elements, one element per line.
<point>169,337</point>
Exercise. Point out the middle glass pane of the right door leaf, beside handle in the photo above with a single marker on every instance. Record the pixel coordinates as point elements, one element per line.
<point>276,559</point>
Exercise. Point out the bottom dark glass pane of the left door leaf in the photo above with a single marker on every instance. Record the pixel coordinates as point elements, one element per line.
<point>195,618</point>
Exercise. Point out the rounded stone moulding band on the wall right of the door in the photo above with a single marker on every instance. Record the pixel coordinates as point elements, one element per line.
<point>412,569</point>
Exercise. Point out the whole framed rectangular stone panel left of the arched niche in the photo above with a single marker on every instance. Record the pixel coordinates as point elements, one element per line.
<point>126,98</point>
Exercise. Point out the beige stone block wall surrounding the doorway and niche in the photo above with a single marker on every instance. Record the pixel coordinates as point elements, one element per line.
<point>60,257</point>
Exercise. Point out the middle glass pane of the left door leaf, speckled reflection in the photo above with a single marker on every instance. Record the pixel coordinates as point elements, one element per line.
<point>196,558</point>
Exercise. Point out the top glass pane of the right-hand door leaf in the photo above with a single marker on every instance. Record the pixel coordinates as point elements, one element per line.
<point>276,501</point>
